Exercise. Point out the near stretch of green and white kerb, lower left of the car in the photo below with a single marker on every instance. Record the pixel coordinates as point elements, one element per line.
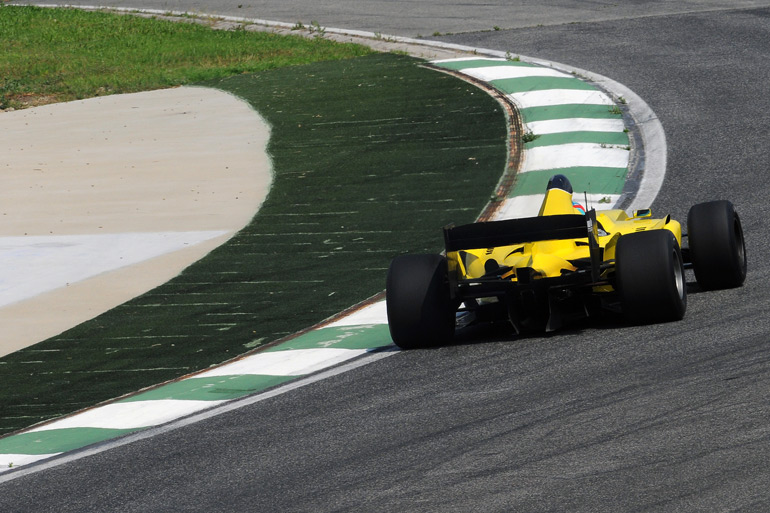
<point>363,331</point>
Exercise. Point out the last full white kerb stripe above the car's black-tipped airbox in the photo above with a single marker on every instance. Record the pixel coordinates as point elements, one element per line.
<point>573,154</point>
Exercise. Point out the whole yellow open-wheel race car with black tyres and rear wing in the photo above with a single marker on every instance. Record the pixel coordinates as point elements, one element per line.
<point>539,272</point>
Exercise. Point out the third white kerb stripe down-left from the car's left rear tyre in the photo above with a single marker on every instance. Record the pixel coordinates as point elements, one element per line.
<point>129,415</point>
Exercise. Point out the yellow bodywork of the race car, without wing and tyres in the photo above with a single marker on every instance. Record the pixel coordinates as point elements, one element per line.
<point>552,258</point>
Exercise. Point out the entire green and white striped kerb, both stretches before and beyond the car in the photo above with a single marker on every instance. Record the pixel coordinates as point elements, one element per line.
<point>576,130</point>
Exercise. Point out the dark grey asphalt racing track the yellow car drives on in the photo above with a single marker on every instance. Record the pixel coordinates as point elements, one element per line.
<point>600,417</point>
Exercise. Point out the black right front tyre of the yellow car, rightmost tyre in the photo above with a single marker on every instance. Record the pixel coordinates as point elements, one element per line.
<point>717,248</point>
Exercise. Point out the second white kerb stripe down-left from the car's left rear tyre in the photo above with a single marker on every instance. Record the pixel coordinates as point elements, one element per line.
<point>295,362</point>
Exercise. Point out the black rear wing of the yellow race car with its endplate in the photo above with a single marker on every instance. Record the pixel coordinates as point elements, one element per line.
<point>493,234</point>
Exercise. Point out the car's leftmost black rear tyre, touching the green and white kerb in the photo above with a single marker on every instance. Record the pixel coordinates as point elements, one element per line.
<point>420,310</point>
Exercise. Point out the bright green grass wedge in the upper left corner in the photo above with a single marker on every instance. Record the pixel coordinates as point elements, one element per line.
<point>53,55</point>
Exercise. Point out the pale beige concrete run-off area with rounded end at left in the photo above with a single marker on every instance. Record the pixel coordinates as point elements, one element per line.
<point>106,198</point>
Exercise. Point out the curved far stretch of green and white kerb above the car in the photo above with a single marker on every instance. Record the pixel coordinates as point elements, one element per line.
<point>573,128</point>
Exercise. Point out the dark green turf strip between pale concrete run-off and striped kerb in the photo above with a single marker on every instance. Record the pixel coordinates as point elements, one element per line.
<point>372,156</point>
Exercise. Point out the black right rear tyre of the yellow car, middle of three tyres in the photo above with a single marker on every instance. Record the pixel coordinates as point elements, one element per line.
<point>650,277</point>
